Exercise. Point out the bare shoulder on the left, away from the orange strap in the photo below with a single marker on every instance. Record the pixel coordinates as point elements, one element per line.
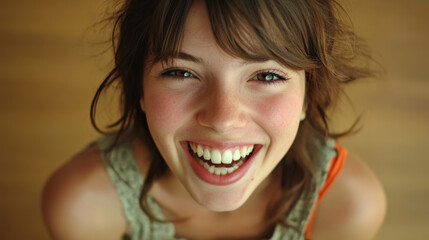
<point>80,202</point>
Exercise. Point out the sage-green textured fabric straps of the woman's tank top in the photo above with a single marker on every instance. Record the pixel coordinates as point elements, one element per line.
<point>122,169</point>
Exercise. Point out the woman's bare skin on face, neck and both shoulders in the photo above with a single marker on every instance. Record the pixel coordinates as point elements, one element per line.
<point>222,103</point>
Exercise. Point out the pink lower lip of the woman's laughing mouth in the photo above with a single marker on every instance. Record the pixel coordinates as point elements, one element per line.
<point>204,175</point>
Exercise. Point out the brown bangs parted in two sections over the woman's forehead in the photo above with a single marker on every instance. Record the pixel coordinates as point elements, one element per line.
<point>251,30</point>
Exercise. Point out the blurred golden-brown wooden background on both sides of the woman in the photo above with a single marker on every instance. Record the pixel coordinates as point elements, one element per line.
<point>51,64</point>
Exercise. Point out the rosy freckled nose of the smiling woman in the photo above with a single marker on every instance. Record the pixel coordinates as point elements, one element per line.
<point>222,111</point>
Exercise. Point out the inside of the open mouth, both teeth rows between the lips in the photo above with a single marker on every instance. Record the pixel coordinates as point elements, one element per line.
<point>223,162</point>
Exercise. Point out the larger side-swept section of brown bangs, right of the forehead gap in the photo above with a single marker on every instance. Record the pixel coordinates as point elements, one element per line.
<point>261,30</point>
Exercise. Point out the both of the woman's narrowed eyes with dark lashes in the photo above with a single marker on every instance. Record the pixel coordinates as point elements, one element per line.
<point>270,77</point>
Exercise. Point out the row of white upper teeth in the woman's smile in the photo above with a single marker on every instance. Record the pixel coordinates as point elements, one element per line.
<point>218,157</point>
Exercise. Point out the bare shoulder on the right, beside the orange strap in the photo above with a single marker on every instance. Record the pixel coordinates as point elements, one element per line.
<point>354,207</point>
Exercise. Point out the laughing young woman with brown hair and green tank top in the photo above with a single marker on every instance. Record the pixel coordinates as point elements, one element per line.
<point>224,129</point>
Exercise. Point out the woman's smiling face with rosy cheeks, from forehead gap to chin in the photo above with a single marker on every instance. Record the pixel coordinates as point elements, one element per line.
<point>221,123</point>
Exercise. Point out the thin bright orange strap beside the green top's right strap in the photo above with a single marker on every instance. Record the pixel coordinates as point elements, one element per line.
<point>335,167</point>
